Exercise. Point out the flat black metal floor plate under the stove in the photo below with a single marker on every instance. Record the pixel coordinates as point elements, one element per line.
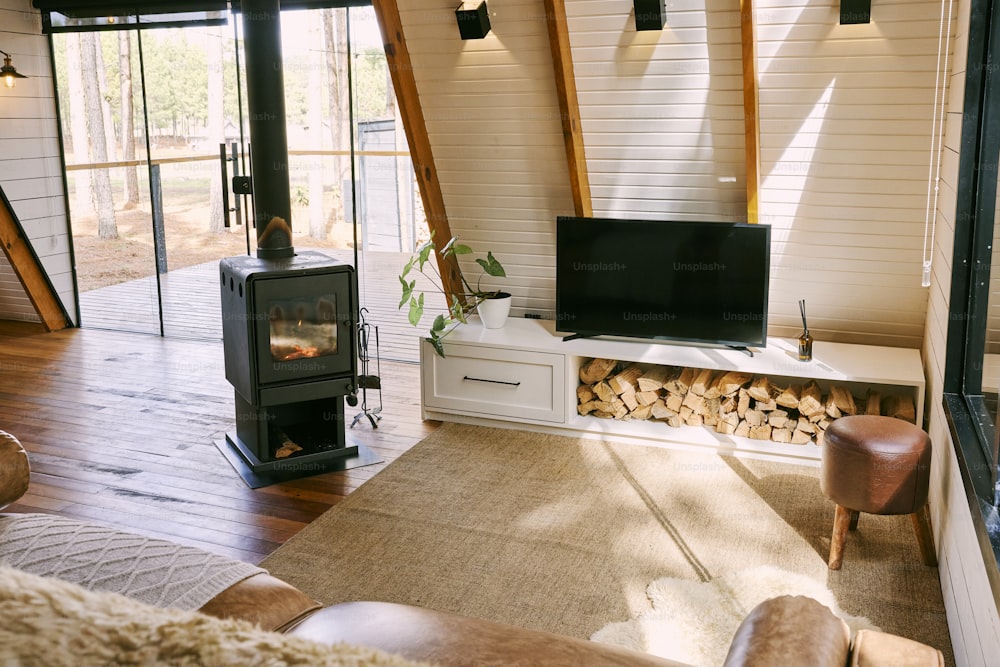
<point>257,474</point>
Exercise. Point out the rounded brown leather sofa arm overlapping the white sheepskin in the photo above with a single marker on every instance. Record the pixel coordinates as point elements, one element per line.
<point>790,630</point>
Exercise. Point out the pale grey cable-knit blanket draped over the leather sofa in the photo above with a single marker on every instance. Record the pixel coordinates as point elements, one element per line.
<point>100,558</point>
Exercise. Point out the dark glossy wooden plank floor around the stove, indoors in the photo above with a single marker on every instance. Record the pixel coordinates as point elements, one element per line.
<point>120,428</point>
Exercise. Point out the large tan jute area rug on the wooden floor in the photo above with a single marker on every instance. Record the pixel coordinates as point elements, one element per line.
<point>565,534</point>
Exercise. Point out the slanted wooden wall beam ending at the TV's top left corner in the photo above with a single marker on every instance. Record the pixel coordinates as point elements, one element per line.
<point>569,107</point>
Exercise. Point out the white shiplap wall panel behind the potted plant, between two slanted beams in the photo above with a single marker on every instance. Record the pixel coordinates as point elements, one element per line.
<point>493,119</point>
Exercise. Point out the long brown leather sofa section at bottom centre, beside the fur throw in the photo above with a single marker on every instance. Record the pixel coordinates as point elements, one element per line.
<point>449,640</point>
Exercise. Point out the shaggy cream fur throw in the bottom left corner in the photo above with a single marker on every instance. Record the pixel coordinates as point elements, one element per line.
<point>49,622</point>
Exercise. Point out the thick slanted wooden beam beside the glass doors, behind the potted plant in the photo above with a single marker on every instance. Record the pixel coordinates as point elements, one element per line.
<point>408,101</point>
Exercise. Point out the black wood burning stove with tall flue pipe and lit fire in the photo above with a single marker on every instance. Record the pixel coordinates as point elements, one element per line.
<point>290,320</point>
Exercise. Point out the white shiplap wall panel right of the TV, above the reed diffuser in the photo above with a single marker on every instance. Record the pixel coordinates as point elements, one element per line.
<point>846,132</point>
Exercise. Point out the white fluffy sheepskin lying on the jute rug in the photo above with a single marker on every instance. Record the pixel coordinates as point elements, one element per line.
<point>693,622</point>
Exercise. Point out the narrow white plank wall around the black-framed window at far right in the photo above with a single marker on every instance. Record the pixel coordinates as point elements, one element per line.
<point>972,613</point>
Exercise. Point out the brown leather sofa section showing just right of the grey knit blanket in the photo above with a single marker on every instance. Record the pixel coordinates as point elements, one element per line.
<point>262,599</point>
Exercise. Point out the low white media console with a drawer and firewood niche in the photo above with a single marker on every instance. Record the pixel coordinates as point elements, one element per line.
<point>525,376</point>
